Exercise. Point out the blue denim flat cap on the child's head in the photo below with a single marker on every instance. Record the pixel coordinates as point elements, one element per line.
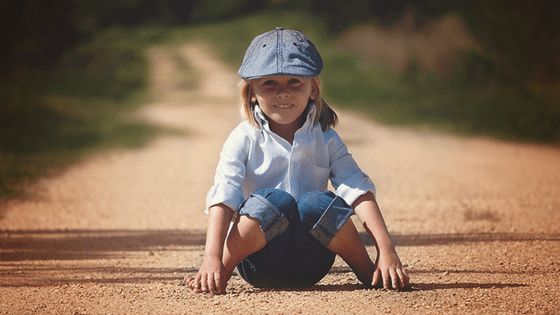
<point>281,52</point>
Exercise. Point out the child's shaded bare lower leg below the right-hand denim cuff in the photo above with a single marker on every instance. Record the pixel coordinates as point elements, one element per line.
<point>348,245</point>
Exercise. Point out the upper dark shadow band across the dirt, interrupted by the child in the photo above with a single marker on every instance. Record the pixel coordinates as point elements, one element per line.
<point>92,244</point>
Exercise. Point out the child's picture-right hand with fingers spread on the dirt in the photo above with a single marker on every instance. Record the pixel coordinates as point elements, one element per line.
<point>389,271</point>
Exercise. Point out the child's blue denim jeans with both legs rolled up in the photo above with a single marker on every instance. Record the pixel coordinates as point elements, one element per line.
<point>297,234</point>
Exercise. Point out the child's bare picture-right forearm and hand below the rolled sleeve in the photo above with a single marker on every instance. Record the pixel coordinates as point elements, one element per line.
<point>388,266</point>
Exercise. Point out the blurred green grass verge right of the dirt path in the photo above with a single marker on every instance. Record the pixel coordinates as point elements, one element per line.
<point>508,111</point>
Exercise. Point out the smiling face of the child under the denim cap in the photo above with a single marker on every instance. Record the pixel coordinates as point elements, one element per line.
<point>283,98</point>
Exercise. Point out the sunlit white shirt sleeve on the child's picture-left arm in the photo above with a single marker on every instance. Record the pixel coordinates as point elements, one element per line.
<point>230,173</point>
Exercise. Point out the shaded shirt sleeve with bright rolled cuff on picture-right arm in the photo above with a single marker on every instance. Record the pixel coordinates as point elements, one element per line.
<point>346,176</point>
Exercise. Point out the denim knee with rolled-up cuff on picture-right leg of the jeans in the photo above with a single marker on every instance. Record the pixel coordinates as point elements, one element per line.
<point>324,214</point>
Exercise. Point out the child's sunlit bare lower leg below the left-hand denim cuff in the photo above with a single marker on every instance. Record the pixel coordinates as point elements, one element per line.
<point>245,238</point>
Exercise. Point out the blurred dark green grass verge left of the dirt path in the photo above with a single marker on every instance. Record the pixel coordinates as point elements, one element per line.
<point>54,117</point>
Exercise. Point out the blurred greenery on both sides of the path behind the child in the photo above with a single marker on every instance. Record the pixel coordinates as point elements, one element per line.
<point>72,70</point>
